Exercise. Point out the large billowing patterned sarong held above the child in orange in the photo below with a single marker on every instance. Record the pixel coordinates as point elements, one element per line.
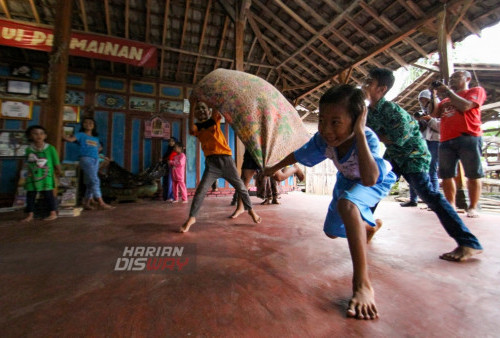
<point>266,123</point>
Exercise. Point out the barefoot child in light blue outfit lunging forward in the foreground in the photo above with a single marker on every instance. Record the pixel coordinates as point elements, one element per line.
<point>363,179</point>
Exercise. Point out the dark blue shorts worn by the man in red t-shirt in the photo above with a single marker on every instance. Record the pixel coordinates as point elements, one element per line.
<point>465,148</point>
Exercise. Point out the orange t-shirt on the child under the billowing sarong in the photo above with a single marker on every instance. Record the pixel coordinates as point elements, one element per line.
<point>211,137</point>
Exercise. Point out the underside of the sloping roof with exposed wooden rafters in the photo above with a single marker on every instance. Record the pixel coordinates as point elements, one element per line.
<point>302,47</point>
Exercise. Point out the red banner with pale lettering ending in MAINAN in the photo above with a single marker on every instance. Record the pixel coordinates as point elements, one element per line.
<point>87,45</point>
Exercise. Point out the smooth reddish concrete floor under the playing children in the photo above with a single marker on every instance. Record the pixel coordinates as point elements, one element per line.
<point>282,278</point>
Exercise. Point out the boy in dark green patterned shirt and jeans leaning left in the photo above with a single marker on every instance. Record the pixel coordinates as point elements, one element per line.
<point>408,154</point>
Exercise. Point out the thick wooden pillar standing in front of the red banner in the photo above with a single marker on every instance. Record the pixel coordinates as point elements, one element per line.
<point>58,70</point>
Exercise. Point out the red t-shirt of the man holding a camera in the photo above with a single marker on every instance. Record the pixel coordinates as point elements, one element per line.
<point>455,123</point>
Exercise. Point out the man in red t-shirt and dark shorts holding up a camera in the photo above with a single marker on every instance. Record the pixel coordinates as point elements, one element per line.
<point>461,135</point>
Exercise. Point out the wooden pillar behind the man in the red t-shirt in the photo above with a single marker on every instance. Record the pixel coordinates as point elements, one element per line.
<point>446,69</point>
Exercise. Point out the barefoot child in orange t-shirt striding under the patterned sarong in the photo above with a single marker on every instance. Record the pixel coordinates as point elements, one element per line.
<point>218,161</point>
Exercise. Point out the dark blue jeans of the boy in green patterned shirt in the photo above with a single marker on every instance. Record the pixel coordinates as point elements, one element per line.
<point>444,211</point>
